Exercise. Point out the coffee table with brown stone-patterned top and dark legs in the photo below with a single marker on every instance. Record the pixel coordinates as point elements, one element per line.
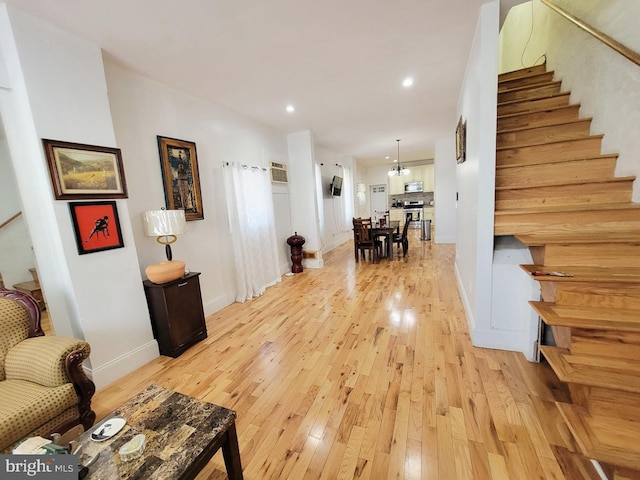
<point>182,434</point>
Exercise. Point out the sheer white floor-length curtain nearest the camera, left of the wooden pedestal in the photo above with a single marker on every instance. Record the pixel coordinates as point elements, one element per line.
<point>253,231</point>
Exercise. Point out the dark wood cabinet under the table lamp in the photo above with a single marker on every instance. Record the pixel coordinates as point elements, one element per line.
<point>177,316</point>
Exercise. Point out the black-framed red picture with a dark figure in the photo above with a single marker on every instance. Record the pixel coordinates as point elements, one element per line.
<point>96,226</point>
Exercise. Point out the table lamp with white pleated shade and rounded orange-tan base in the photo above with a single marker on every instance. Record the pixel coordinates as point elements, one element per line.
<point>165,225</point>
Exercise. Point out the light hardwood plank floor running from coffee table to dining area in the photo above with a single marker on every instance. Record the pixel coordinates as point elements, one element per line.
<point>361,370</point>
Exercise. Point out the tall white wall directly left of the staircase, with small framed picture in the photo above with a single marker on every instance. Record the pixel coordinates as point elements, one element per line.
<point>475,177</point>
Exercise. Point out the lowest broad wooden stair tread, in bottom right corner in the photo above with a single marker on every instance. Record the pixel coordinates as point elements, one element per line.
<point>606,439</point>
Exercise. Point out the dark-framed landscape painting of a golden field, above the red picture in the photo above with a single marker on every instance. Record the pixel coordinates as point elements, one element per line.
<point>80,171</point>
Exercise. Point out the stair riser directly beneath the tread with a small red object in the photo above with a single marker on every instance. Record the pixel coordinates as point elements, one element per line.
<point>598,295</point>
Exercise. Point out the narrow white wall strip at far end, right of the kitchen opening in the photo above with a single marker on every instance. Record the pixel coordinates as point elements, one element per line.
<point>445,190</point>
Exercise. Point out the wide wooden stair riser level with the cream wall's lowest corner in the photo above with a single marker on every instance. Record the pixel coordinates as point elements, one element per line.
<point>558,195</point>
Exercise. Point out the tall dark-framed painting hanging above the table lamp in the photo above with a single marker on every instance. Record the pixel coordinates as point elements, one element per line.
<point>180,177</point>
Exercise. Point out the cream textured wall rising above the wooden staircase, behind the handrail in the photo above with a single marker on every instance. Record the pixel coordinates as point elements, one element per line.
<point>601,80</point>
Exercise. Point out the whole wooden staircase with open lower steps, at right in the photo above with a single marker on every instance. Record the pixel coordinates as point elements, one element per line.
<point>556,192</point>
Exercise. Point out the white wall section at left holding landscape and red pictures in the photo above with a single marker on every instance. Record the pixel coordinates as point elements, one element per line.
<point>57,90</point>
